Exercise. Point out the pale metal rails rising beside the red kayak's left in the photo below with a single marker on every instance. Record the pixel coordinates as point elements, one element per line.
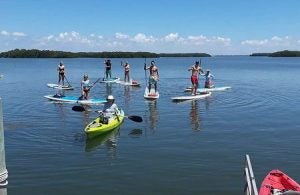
<point>250,186</point>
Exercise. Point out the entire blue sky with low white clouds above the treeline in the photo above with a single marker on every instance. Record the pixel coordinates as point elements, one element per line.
<point>216,27</point>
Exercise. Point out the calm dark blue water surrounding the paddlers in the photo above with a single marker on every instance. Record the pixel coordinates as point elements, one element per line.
<point>194,147</point>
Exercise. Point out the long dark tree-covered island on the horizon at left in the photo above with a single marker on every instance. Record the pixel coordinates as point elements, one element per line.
<point>35,53</point>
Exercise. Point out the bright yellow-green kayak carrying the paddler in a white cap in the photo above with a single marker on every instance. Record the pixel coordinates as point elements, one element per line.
<point>98,126</point>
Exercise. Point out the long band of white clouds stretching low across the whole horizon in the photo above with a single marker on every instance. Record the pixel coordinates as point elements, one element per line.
<point>169,43</point>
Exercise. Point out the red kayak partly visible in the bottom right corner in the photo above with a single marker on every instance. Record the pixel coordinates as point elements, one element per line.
<point>277,182</point>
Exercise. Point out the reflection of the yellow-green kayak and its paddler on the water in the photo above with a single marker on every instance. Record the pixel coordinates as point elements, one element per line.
<point>108,139</point>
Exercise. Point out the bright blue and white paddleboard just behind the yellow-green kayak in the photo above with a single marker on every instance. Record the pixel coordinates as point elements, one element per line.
<point>74,99</point>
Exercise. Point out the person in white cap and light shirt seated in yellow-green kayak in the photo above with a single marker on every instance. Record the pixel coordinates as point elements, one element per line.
<point>110,108</point>
